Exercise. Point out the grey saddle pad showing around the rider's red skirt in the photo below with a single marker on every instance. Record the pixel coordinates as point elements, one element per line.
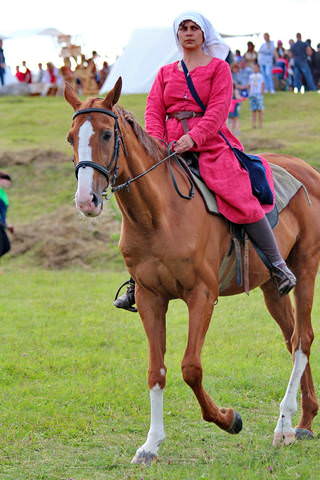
<point>285,184</point>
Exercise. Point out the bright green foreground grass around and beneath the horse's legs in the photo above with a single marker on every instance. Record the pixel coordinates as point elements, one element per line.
<point>74,402</point>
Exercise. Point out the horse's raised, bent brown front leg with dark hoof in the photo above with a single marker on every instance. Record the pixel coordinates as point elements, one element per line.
<point>200,306</point>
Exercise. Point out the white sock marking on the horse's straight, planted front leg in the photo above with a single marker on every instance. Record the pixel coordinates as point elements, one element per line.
<point>156,434</point>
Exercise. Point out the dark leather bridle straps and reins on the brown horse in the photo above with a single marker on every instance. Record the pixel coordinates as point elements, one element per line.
<point>111,171</point>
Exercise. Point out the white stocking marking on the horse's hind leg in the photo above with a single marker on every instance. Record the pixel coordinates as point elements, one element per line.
<point>288,406</point>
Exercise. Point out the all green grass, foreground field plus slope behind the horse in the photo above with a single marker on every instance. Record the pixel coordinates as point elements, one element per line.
<point>73,399</point>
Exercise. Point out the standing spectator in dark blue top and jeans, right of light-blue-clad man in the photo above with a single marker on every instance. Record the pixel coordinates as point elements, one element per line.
<point>300,51</point>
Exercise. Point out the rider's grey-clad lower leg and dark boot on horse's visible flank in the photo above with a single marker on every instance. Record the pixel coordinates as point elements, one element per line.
<point>261,234</point>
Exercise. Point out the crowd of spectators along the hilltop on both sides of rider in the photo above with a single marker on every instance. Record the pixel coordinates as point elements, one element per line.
<point>292,67</point>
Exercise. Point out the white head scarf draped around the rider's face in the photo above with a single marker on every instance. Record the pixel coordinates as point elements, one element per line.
<point>213,43</point>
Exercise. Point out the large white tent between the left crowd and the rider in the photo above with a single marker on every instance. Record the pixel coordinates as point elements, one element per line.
<point>147,51</point>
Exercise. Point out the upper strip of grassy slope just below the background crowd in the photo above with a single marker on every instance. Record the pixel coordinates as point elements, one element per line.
<point>291,123</point>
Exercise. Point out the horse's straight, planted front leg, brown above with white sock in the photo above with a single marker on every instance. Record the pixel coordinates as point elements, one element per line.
<point>152,309</point>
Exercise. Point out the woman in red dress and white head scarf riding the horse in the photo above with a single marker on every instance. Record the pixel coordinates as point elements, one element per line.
<point>203,52</point>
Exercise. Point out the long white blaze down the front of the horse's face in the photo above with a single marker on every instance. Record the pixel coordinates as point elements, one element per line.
<point>85,175</point>
